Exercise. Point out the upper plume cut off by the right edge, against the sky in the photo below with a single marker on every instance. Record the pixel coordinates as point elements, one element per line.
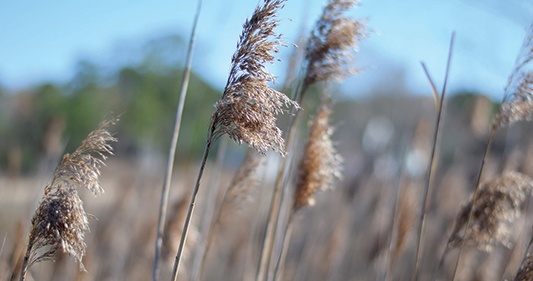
<point>518,102</point>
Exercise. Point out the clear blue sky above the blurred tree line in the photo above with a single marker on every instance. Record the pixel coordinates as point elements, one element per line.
<point>41,40</point>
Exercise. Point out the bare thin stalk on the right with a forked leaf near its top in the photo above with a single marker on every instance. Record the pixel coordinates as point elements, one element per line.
<point>424,206</point>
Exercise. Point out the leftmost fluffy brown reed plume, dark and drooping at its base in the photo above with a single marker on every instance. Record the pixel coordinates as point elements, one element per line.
<point>60,222</point>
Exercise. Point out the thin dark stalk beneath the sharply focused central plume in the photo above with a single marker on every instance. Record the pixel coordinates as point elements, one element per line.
<point>190,211</point>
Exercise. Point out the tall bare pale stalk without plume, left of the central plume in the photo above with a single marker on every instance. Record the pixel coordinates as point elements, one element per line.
<point>170,162</point>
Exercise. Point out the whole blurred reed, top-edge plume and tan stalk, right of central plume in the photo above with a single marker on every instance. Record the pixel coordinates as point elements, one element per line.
<point>328,54</point>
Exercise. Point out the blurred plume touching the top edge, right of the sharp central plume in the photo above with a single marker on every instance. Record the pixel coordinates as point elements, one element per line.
<point>332,41</point>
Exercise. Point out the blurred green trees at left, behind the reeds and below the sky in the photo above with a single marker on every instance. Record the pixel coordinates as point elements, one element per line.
<point>51,118</point>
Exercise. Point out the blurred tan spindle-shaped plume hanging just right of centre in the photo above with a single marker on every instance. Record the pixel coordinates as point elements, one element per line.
<point>321,164</point>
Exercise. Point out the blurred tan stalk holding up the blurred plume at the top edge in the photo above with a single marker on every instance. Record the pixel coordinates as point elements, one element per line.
<point>275,203</point>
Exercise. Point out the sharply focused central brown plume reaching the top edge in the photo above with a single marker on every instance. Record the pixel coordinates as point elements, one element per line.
<point>248,108</point>
